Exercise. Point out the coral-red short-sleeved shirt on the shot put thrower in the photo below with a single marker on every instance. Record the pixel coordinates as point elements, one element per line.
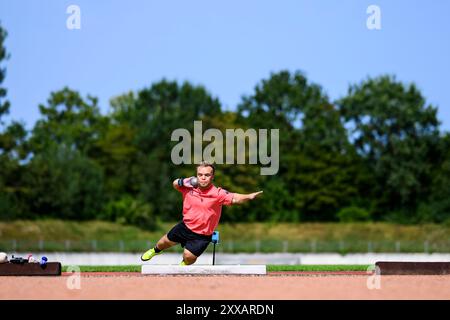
<point>202,208</point>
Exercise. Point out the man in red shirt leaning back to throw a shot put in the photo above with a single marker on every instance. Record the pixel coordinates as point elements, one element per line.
<point>202,207</point>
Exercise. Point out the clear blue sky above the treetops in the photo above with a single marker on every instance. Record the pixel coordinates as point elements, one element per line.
<point>227,46</point>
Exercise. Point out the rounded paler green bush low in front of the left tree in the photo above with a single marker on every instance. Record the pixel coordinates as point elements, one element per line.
<point>65,184</point>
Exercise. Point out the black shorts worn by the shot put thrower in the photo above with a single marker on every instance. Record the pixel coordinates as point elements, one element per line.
<point>194,242</point>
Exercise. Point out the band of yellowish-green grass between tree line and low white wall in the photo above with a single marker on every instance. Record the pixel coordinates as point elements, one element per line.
<point>102,236</point>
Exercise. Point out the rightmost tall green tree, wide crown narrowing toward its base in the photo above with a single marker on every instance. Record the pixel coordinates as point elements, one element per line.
<point>396,132</point>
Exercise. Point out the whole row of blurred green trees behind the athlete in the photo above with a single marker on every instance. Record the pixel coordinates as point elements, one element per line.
<point>377,153</point>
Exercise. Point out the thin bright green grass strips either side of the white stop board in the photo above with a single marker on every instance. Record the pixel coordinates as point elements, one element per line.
<point>137,268</point>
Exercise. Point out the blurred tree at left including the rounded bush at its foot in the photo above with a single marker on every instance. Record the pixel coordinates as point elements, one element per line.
<point>63,180</point>
